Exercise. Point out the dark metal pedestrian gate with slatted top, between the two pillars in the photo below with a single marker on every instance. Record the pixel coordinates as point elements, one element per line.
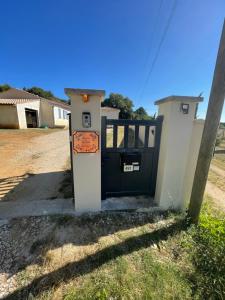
<point>130,151</point>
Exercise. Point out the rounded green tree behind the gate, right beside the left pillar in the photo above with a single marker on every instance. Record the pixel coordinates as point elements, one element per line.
<point>123,103</point>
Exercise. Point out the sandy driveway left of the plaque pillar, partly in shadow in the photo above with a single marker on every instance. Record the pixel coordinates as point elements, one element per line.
<point>33,163</point>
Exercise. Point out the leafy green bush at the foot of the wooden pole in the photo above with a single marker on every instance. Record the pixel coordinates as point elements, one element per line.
<point>208,254</point>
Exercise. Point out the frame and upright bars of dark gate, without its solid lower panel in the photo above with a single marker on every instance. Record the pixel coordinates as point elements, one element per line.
<point>126,123</point>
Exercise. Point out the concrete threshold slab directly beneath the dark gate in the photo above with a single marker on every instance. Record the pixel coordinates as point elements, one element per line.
<point>127,203</point>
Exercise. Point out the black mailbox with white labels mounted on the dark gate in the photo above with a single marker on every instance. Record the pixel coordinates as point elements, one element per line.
<point>130,162</point>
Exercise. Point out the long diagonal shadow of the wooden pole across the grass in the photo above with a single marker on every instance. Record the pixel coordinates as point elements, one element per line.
<point>94,261</point>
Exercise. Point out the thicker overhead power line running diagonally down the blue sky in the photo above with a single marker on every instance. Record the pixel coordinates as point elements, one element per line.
<point>159,46</point>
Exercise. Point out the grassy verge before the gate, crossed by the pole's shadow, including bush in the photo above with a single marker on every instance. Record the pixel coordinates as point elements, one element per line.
<point>129,256</point>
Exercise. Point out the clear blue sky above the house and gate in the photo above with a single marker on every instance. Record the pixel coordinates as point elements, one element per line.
<point>104,44</point>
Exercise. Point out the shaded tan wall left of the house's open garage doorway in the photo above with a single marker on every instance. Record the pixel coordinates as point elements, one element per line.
<point>8,116</point>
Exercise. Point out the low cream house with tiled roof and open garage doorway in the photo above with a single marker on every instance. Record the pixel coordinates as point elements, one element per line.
<point>20,109</point>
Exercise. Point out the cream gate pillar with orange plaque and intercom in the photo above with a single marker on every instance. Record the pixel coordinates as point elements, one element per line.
<point>86,141</point>
